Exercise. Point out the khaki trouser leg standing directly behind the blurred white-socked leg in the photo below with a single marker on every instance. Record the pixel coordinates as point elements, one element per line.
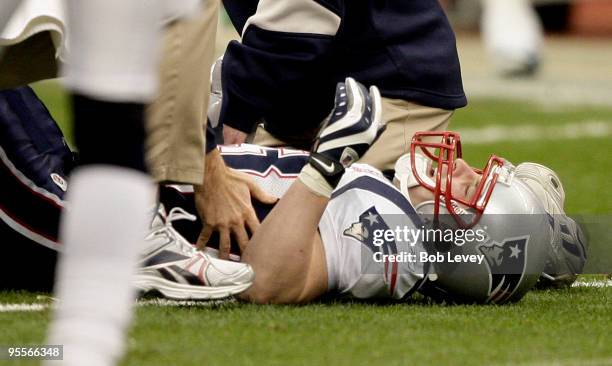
<point>175,144</point>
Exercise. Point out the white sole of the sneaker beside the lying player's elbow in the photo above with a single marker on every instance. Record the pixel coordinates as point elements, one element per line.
<point>178,291</point>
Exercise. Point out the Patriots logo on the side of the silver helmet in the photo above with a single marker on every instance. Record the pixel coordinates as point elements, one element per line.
<point>507,264</point>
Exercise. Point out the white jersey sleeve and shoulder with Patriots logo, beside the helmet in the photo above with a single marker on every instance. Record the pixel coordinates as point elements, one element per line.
<point>363,206</point>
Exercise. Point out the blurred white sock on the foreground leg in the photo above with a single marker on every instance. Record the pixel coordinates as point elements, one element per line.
<point>102,231</point>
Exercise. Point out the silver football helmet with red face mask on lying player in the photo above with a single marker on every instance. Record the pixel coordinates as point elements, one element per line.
<point>512,228</point>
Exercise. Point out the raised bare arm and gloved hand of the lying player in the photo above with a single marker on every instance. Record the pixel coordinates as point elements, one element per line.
<point>286,252</point>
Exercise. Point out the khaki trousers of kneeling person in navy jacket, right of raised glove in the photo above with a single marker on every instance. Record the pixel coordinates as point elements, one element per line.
<point>403,119</point>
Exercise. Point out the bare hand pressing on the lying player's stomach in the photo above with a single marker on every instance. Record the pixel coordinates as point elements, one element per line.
<point>224,204</point>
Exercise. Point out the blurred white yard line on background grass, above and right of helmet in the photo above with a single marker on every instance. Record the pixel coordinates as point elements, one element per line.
<point>531,132</point>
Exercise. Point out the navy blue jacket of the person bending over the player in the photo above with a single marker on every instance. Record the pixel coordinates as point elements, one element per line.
<point>293,52</point>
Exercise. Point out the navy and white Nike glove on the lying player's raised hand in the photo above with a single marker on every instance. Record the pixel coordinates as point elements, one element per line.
<point>353,126</point>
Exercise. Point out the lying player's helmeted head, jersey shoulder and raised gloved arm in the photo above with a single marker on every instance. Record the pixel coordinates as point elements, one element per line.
<point>328,232</point>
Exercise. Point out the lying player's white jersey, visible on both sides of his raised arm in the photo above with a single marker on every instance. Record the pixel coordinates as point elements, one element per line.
<point>364,203</point>
